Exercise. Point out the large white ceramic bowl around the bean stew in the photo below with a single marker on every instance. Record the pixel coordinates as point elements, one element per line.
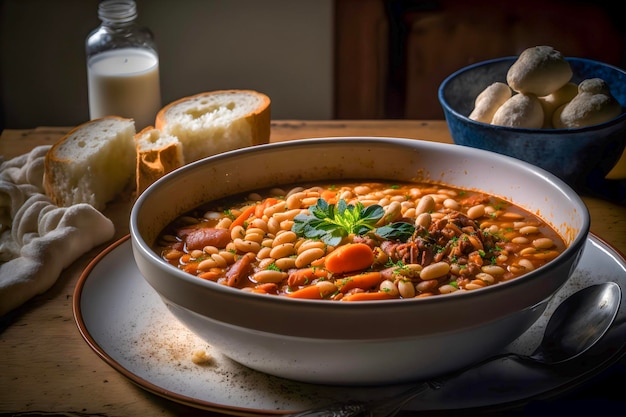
<point>374,342</point>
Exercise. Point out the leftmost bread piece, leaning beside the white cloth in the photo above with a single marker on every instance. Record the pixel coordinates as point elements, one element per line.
<point>92,164</point>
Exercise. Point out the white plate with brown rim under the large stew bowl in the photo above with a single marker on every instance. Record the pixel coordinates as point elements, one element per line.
<point>124,321</point>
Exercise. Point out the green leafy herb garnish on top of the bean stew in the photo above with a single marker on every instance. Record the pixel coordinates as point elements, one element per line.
<point>331,223</point>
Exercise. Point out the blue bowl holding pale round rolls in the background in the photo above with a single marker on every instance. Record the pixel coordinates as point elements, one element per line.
<point>581,157</point>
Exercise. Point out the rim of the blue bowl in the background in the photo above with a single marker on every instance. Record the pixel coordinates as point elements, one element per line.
<point>552,131</point>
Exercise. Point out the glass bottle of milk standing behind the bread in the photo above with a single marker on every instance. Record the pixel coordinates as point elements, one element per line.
<point>122,66</point>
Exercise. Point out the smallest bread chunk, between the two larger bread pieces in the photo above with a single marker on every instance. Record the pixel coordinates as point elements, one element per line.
<point>157,154</point>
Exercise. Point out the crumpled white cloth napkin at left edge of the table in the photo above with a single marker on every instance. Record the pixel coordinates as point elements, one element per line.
<point>37,238</point>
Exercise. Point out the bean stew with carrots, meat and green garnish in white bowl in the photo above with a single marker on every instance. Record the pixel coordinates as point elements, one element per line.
<point>358,241</point>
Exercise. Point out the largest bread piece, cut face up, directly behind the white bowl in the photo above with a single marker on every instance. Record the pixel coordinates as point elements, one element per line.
<point>217,121</point>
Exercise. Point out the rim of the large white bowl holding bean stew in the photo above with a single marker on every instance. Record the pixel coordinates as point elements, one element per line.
<point>575,245</point>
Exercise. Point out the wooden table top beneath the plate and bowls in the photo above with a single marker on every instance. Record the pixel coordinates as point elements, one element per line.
<point>47,367</point>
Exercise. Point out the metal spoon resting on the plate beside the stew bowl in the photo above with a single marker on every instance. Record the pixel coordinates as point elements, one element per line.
<point>576,325</point>
